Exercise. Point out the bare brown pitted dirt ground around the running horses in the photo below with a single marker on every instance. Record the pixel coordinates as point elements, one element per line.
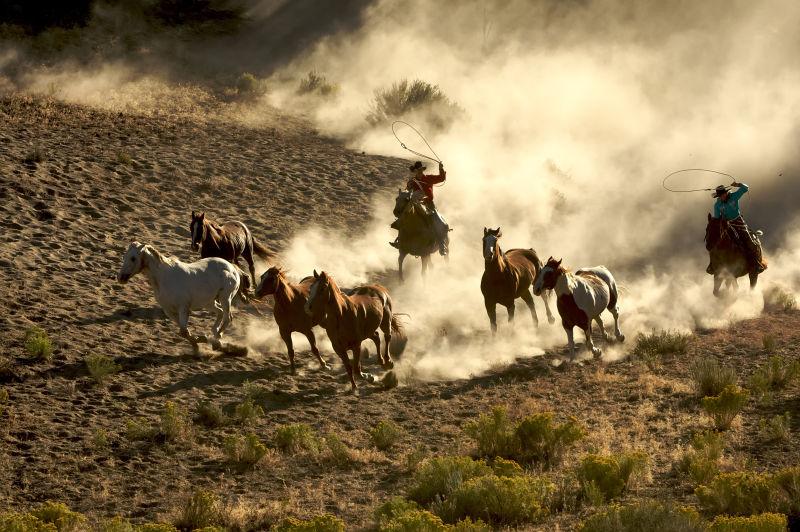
<point>107,178</point>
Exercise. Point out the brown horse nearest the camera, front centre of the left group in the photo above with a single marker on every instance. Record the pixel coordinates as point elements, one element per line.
<point>351,319</point>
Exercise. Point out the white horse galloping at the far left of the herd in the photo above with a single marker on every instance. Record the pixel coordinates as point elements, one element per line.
<point>180,287</point>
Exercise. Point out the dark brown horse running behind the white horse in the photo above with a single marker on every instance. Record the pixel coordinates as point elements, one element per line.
<point>229,241</point>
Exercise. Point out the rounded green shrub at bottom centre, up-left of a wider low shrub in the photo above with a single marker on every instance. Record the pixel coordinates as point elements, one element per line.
<point>438,477</point>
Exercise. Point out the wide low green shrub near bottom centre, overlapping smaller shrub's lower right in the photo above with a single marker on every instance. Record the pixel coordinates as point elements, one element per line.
<point>498,500</point>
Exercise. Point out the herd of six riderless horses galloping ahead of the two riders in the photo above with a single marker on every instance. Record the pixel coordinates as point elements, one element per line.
<point>352,315</point>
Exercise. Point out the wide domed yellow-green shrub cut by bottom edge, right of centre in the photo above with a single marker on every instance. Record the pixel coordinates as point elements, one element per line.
<point>641,516</point>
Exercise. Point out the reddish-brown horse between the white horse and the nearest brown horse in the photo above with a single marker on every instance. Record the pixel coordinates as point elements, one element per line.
<point>289,311</point>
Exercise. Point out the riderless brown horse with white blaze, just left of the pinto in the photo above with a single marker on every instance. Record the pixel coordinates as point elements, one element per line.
<point>508,276</point>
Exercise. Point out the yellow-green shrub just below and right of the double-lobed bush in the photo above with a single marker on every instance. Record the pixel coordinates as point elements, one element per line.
<point>612,475</point>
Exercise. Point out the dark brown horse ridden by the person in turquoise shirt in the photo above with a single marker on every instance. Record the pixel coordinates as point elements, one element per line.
<point>728,260</point>
